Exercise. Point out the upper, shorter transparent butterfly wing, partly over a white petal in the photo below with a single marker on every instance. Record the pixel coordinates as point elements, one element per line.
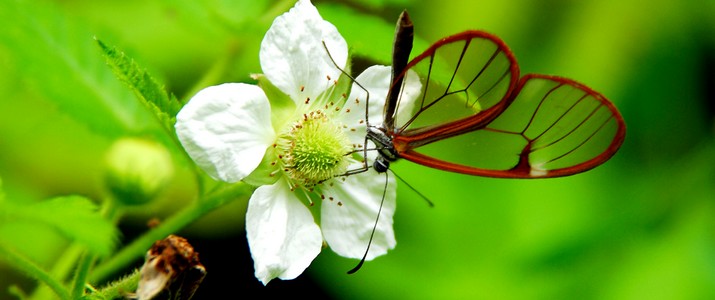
<point>460,76</point>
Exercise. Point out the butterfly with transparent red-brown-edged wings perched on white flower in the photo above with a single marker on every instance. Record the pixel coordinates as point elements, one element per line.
<point>476,115</point>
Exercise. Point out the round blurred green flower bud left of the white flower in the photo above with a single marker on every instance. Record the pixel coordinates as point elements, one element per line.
<point>137,170</point>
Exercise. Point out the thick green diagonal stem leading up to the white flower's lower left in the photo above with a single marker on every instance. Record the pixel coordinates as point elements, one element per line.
<point>138,247</point>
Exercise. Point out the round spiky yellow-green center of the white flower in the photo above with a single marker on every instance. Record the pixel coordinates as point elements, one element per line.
<point>314,149</point>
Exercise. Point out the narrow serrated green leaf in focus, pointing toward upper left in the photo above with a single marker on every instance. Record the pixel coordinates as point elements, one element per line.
<point>165,106</point>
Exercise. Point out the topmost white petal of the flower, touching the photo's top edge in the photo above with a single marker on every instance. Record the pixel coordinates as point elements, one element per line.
<point>293,57</point>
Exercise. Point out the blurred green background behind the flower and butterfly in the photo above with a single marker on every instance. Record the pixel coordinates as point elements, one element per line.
<point>642,226</point>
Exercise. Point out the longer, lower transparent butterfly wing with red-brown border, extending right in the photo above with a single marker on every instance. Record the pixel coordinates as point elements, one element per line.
<point>552,127</point>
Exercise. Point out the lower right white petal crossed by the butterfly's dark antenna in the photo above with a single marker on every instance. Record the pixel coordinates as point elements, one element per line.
<point>349,218</point>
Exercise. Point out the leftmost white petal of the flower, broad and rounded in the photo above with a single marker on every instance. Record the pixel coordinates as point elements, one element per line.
<point>226,129</point>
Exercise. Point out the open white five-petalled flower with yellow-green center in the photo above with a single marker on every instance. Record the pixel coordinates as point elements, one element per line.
<point>294,135</point>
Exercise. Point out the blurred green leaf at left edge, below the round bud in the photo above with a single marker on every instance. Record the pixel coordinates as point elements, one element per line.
<point>75,217</point>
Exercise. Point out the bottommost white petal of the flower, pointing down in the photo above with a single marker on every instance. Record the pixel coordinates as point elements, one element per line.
<point>282,234</point>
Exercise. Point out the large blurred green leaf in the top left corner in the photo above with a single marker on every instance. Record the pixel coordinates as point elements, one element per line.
<point>49,57</point>
